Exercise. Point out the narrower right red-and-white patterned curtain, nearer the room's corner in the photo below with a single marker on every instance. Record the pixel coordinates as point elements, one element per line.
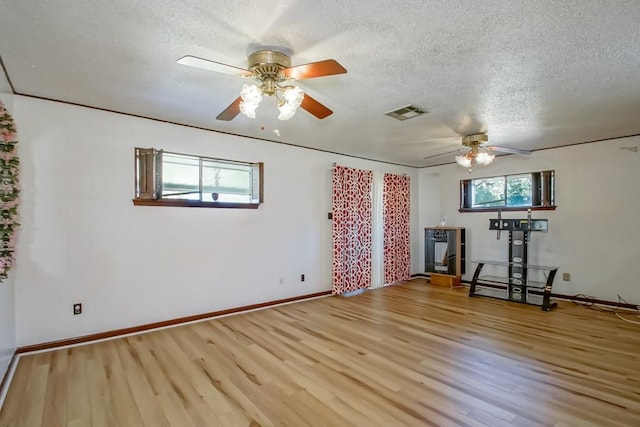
<point>395,207</point>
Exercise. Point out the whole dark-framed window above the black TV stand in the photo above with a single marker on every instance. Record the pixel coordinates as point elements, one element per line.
<point>508,192</point>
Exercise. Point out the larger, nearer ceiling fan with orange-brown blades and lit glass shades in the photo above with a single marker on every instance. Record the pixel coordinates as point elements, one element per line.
<point>273,72</point>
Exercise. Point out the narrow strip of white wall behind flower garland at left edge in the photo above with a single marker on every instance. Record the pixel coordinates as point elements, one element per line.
<point>7,302</point>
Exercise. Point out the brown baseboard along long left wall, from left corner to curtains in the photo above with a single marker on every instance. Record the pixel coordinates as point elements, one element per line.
<point>163,324</point>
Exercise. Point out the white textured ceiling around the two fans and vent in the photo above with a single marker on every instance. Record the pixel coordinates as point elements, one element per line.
<point>531,74</point>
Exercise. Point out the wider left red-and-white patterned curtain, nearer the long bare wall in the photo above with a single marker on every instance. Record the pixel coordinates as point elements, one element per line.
<point>352,226</point>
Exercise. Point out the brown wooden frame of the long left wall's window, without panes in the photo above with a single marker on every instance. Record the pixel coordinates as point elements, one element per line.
<point>148,181</point>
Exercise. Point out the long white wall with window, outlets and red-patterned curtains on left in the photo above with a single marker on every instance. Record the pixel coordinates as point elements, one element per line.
<point>82,239</point>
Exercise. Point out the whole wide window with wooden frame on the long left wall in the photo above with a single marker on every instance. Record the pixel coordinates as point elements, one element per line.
<point>173,179</point>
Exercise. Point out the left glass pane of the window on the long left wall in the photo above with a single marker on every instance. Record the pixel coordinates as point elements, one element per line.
<point>180,177</point>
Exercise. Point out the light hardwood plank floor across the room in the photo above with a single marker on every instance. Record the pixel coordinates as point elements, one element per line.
<point>407,355</point>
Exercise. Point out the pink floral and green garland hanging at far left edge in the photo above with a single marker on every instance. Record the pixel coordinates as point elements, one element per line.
<point>9,191</point>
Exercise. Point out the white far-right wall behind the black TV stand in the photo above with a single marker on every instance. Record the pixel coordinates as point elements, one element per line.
<point>594,232</point>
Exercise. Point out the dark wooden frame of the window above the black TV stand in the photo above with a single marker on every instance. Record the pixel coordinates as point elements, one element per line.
<point>543,193</point>
